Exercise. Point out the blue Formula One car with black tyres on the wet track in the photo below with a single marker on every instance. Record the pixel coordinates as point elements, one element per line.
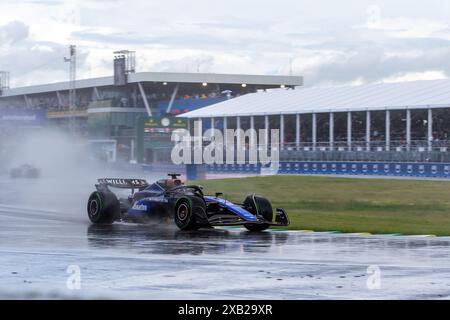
<point>187,204</point>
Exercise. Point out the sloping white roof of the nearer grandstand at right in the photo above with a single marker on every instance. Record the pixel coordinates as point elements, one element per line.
<point>383,96</point>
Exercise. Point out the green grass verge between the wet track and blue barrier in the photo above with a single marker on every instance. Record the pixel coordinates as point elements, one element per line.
<point>349,205</point>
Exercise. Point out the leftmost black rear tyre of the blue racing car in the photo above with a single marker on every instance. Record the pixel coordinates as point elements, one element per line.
<point>103,208</point>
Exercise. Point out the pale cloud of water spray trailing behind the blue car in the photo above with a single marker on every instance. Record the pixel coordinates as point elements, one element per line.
<point>50,161</point>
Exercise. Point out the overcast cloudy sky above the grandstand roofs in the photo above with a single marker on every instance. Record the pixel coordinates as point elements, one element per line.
<point>327,42</point>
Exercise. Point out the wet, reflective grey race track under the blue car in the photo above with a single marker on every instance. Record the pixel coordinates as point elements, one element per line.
<point>44,233</point>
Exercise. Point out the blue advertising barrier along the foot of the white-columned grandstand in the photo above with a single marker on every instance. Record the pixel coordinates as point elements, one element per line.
<point>402,169</point>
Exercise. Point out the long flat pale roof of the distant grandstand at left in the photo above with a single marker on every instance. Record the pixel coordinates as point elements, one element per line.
<point>173,77</point>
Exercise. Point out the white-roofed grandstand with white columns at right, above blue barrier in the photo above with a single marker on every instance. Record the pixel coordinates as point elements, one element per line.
<point>406,121</point>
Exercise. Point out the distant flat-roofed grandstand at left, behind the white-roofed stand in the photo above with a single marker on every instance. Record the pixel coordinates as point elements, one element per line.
<point>109,109</point>
